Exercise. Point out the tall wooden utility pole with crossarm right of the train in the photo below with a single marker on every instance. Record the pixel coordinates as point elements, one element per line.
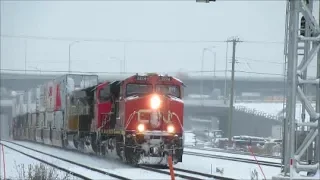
<point>234,44</point>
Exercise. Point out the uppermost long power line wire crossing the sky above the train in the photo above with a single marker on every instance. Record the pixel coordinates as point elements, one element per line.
<point>125,40</point>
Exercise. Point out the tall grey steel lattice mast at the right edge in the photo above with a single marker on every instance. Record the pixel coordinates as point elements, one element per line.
<point>302,33</point>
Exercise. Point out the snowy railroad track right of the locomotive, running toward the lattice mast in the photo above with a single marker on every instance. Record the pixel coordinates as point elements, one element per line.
<point>250,161</point>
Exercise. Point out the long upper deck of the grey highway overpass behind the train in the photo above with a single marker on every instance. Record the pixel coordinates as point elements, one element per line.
<point>264,86</point>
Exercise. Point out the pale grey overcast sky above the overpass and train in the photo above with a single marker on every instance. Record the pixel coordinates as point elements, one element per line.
<point>261,21</point>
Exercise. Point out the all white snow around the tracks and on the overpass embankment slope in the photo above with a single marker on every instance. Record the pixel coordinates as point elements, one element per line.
<point>11,161</point>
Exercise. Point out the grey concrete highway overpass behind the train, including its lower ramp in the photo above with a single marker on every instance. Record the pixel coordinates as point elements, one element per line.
<point>246,122</point>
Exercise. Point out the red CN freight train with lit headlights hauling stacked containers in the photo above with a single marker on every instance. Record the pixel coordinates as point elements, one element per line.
<point>139,119</point>
